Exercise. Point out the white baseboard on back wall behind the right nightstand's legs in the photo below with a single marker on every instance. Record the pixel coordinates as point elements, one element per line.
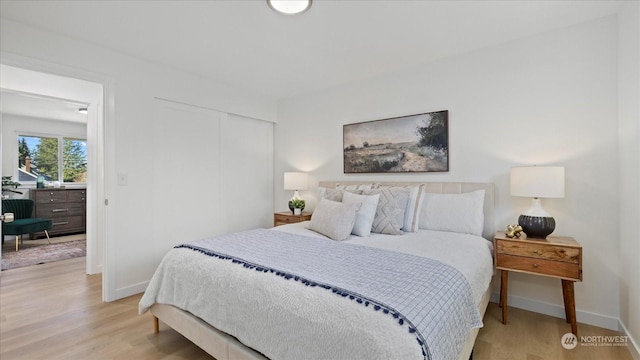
<point>554,310</point>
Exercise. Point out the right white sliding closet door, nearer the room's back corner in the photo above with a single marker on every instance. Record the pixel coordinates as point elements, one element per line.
<point>247,162</point>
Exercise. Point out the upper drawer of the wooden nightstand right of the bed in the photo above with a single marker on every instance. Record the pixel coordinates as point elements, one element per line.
<point>541,251</point>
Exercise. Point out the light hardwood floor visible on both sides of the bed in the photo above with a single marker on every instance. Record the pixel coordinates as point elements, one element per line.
<point>54,311</point>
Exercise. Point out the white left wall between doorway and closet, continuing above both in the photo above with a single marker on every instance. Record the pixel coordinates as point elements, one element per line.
<point>131,87</point>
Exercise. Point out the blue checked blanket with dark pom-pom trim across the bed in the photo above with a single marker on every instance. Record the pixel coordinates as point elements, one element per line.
<point>431,299</point>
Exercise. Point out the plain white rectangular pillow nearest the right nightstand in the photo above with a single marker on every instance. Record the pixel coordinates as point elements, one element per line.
<point>461,213</point>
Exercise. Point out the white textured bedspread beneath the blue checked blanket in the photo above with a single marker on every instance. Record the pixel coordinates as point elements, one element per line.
<point>276,309</point>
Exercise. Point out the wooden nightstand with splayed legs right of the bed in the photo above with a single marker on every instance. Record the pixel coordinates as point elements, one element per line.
<point>555,256</point>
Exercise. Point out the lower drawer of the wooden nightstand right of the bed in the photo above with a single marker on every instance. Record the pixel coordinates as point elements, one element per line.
<point>540,266</point>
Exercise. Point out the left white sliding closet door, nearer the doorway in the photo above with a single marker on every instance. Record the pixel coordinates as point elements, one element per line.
<point>186,175</point>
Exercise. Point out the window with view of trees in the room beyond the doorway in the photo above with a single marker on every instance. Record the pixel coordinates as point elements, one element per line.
<point>53,158</point>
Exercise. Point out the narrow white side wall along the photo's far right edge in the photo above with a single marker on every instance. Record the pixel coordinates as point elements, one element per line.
<point>629,167</point>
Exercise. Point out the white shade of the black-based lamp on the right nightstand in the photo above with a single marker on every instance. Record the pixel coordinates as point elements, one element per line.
<point>538,181</point>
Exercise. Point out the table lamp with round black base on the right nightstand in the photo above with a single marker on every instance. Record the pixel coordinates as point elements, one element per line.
<point>537,182</point>
